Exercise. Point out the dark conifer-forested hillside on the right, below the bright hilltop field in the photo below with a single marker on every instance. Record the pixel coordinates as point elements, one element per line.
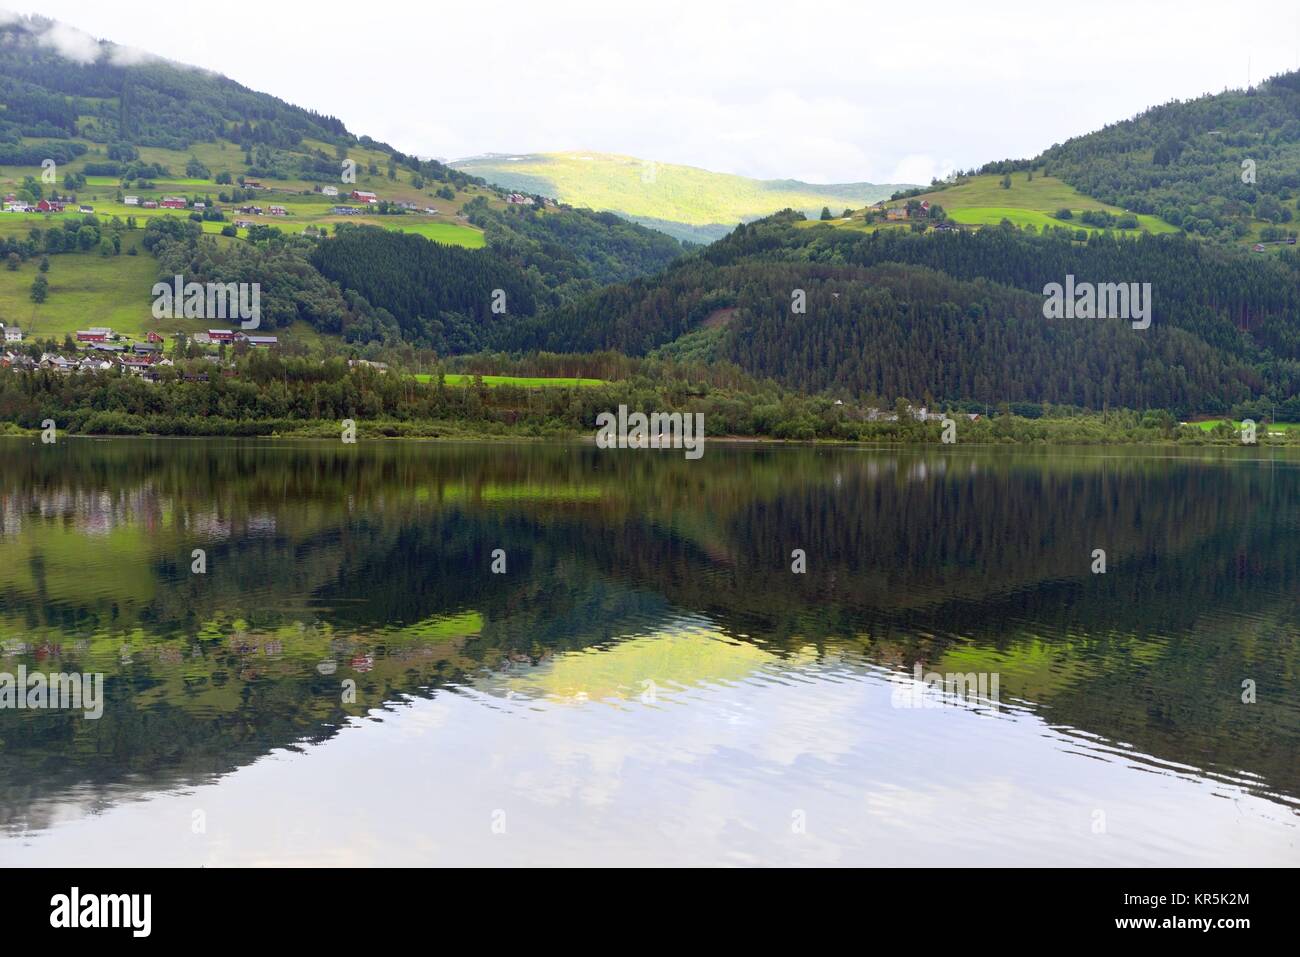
<point>959,315</point>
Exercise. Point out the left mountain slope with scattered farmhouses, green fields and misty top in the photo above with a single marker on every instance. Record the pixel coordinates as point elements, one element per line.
<point>261,184</point>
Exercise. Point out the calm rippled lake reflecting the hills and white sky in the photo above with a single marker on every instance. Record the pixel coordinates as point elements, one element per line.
<point>531,655</point>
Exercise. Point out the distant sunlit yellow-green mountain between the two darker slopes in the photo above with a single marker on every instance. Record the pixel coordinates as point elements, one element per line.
<point>684,202</point>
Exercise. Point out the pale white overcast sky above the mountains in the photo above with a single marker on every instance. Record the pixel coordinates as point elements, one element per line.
<point>814,90</point>
